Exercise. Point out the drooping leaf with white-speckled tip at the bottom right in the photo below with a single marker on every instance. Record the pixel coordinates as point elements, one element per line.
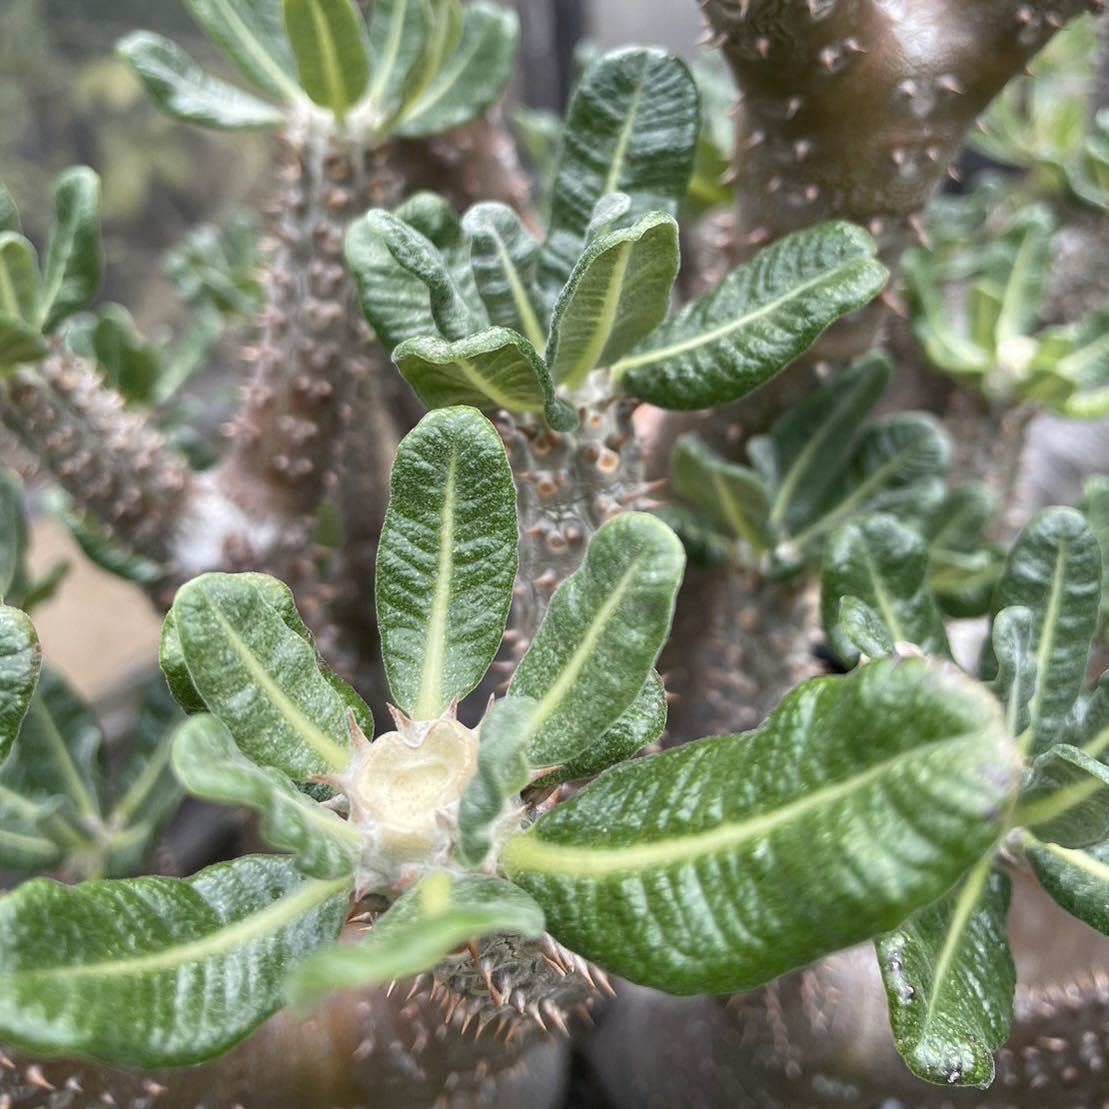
<point>951,982</point>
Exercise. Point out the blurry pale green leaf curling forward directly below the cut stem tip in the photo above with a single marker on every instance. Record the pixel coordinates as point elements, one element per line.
<point>425,925</point>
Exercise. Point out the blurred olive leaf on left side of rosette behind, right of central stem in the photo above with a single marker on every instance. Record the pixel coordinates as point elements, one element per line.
<point>730,495</point>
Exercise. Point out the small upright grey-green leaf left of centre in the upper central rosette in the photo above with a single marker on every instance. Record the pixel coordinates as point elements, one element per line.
<point>506,264</point>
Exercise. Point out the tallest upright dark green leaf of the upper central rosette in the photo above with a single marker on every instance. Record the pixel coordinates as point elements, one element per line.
<point>632,128</point>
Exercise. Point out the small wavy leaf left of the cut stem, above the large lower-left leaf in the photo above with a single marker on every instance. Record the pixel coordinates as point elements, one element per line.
<point>210,767</point>
